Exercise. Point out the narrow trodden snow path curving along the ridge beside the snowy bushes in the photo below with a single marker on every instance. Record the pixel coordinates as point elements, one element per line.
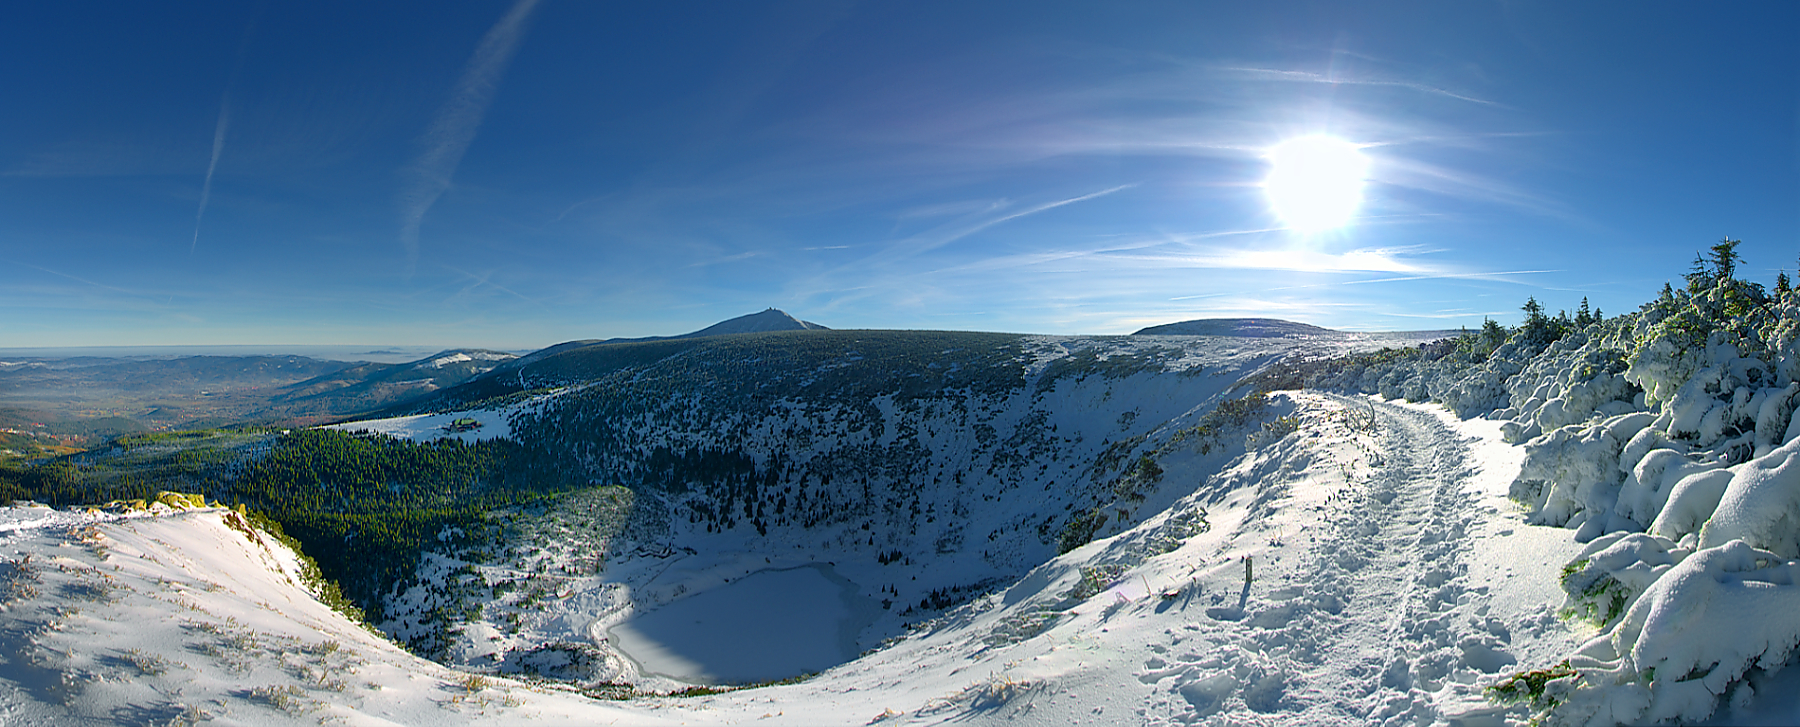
<point>1396,552</point>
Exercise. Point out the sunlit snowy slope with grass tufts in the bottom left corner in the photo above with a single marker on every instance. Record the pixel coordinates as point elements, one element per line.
<point>197,618</point>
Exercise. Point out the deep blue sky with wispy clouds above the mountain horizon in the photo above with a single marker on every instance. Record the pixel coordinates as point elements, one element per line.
<point>523,174</point>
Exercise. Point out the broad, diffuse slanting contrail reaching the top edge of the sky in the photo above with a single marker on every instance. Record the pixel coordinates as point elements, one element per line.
<point>456,125</point>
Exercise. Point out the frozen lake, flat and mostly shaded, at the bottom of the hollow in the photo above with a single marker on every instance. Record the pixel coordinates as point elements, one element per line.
<point>768,625</point>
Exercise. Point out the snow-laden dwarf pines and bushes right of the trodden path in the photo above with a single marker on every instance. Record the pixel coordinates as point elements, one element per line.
<point>1668,442</point>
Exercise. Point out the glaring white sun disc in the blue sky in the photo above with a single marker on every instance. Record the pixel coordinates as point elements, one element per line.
<point>1317,183</point>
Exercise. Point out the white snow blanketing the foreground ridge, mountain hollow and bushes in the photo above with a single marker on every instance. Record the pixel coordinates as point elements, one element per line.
<point>1367,562</point>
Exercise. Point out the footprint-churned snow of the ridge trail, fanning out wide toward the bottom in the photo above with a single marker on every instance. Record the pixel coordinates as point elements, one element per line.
<point>1376,622</point>
